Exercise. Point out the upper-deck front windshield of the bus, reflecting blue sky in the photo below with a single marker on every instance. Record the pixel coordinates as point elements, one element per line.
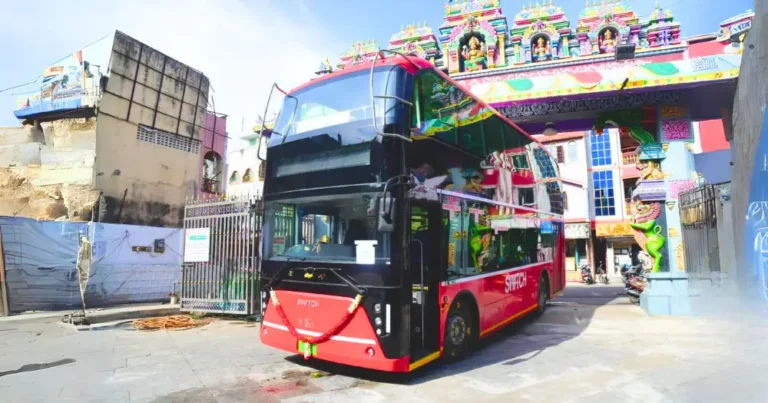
<point>343,104</point>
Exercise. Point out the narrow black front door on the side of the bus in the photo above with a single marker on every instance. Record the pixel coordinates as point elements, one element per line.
<point>424,261</point>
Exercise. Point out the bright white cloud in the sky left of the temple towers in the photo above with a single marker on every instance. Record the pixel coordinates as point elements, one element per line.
<point>243,47</point>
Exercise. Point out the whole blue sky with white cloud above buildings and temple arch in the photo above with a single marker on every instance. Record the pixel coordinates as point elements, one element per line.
<point>244,46</point>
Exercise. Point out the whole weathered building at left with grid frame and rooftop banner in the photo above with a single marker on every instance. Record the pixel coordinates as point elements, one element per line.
<point>129,144</point>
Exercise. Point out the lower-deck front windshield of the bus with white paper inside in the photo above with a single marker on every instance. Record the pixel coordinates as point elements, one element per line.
<point>338,228</point>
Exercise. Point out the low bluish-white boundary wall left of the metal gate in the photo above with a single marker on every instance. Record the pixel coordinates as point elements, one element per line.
<point>40,259</point>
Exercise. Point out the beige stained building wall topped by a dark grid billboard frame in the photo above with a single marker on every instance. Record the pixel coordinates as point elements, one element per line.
<point>148,135</point>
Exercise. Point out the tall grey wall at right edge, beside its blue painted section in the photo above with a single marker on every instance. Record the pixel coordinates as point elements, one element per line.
<point>748,117</point>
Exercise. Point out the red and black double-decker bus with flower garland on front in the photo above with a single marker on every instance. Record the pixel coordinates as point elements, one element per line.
<point>404,219</point>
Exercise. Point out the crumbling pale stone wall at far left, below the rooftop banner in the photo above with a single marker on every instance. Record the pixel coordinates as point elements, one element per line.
<point>46,171</point>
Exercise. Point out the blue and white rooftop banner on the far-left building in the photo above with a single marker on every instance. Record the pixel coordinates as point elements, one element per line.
<point>61,88</point>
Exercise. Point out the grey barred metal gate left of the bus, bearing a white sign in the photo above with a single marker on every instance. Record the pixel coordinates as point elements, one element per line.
<point>229,281</point>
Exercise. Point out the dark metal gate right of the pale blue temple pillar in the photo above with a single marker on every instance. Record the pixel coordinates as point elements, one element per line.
<point>698,216</point>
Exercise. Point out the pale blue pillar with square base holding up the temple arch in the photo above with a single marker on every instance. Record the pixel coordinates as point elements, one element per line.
<point>667,291</point>
